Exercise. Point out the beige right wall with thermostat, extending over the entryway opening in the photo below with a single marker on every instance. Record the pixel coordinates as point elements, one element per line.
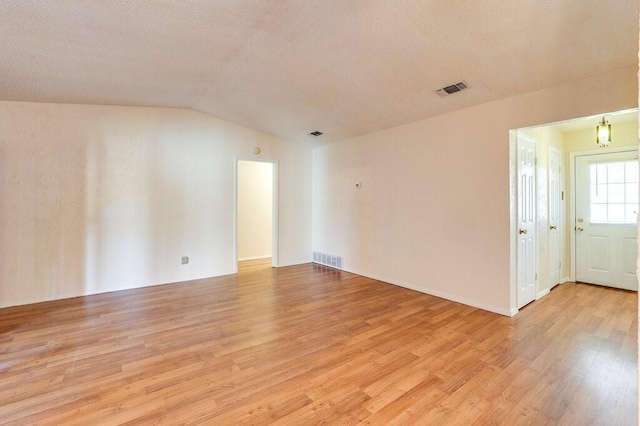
<point>434,213</point>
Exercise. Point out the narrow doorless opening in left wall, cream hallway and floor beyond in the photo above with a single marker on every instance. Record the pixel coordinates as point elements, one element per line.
<point>256,213</point>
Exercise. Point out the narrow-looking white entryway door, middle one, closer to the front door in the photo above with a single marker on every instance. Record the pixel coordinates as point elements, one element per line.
<point>555,216</point>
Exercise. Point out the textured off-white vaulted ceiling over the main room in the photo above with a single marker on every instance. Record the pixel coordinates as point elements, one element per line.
<point>289,67</point>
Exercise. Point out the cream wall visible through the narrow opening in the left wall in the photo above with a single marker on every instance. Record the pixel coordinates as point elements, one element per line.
<point>255,208</point>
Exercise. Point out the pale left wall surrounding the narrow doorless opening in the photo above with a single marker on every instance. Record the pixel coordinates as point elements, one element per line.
<point>102,198</point>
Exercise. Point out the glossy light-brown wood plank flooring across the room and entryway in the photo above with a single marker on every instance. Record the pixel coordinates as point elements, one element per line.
<point>311,345</point>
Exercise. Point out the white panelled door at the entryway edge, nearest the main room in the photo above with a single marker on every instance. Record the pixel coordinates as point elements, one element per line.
<point>526,248</point>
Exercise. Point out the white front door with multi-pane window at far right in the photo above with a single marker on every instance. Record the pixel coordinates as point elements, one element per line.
<point>606,214</point>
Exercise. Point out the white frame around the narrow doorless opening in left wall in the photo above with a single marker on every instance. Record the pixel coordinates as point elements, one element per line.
<point>275,231</point>
